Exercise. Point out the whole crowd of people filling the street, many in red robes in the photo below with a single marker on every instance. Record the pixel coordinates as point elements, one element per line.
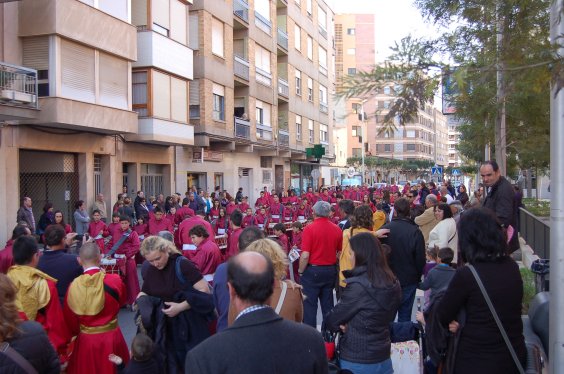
<point>223,281</point>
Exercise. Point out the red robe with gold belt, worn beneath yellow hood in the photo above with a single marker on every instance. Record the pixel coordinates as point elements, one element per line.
<point>91,351</point>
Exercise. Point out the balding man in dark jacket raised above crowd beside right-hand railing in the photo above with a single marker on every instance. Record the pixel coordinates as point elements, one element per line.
<point>500,198</point>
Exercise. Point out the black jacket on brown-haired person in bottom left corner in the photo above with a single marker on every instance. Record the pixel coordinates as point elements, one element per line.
<point>32,343</point>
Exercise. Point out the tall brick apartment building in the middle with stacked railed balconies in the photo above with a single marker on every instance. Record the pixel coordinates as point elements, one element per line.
<point>263,73</point>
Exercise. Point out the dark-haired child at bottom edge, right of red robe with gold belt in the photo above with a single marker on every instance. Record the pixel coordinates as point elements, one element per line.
<point>142,358</point>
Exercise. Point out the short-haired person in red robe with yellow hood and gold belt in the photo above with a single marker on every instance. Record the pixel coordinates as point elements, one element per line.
<point>91,308</point>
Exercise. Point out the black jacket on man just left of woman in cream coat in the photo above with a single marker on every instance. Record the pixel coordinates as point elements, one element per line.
<point>407,257</point>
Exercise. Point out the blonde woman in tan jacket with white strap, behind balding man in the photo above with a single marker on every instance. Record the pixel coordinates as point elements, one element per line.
<point>287,298</point>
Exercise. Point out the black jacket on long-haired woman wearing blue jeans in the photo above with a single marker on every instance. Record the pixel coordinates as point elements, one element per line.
<point>367,311</point>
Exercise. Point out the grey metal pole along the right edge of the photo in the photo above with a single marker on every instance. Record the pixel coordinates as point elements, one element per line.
<point>556,324</point>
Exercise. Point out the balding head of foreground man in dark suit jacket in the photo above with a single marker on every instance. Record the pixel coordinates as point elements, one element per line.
<point>250,277</point>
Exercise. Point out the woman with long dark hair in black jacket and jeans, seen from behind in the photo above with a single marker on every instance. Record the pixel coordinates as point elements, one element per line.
<point>367,307</point>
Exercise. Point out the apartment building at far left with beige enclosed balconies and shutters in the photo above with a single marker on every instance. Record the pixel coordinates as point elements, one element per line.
<point>89,102</point>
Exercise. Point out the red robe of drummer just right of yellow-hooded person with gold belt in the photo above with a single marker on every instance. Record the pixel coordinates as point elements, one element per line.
<point>129,248</point>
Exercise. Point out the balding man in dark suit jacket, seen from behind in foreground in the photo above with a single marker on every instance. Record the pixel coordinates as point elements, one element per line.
<point>259,341</point>
